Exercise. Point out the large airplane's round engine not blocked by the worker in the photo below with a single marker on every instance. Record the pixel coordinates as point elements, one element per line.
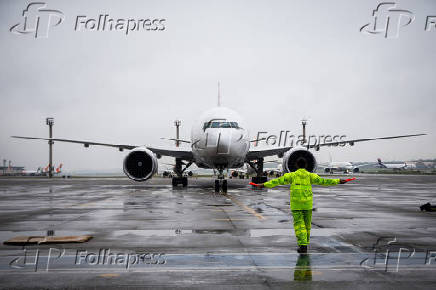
<point>140,164</point>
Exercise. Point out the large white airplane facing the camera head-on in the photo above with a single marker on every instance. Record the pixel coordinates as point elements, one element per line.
<point>219,140</point>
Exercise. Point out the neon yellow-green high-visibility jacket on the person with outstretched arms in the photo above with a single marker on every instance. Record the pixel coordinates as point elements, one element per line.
<point>301,187</point>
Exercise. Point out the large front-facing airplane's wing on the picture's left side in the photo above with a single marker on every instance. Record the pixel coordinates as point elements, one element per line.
<point>176,152</point>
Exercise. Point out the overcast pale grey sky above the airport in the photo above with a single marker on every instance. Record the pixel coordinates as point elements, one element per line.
<point>278,61</point>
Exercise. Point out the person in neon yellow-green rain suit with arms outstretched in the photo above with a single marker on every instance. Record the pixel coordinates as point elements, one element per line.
<point>301,198</point>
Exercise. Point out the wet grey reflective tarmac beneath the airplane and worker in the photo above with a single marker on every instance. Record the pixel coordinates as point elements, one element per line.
<point>366,234</point>
